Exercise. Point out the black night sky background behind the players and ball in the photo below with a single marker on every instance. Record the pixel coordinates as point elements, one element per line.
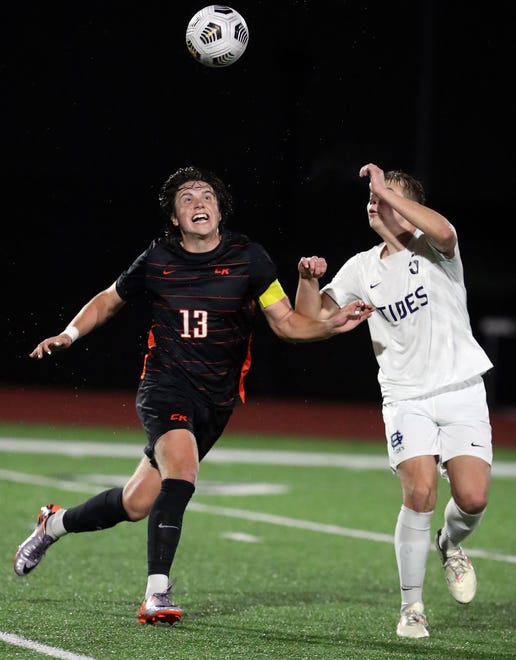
<point>102,102</point>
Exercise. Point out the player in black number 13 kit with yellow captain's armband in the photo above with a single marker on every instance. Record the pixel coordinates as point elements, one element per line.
<point>205,284</point>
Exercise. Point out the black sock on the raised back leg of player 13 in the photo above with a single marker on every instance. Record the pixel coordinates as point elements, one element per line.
<point>99,512</point>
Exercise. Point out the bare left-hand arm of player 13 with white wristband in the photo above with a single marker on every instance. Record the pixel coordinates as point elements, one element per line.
<point>96,312</point>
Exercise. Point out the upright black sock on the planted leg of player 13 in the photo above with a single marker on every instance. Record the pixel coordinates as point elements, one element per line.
<point>165,521</point>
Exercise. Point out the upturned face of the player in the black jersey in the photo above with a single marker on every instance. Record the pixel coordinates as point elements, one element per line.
<point>196,210</point>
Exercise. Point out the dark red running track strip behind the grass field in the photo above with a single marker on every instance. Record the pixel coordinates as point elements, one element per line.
<point>281,417</point>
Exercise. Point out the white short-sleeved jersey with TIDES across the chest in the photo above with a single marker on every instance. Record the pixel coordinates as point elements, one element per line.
<point>421,332</point>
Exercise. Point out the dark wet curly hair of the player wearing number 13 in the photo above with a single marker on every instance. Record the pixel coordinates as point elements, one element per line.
<point>169,189</point>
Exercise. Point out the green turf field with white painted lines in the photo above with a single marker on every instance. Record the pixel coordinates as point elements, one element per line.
<point>286,553</point>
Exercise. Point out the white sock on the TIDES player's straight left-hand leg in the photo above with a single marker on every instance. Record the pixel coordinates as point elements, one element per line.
<point>412,545</point>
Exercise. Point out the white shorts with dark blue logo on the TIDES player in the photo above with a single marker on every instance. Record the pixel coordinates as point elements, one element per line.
<point>451,422</point>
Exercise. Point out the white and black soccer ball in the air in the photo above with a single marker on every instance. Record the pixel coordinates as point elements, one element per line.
<point>217,36</point>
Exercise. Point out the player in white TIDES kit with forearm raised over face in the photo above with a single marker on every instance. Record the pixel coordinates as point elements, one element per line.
<point>430,373</point>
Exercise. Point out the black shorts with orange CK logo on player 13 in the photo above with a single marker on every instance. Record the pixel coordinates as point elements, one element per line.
<point>162,408</point>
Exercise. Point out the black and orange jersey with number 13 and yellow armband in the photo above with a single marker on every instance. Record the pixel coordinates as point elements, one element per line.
<point>203,305</point>
